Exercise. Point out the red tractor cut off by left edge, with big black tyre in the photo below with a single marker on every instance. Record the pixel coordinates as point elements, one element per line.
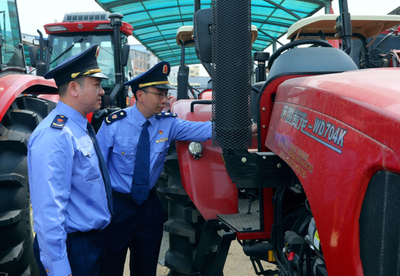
<point>20,112</point>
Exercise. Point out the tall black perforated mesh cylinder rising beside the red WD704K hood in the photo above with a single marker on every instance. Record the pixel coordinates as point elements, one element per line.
<point>231,71</point>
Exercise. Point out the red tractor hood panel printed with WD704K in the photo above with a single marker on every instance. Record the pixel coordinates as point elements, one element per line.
<point>316,128</point>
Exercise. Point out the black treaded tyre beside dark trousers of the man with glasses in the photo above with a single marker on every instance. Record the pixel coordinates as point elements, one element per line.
<point>193,242</point>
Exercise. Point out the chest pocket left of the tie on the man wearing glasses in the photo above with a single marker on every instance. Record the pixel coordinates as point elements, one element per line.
<point>123,157</point>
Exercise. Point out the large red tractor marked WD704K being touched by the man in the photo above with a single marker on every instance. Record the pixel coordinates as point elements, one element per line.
<point>316,192</point>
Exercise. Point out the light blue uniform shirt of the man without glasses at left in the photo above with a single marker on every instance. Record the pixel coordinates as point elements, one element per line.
<point>66,186</point>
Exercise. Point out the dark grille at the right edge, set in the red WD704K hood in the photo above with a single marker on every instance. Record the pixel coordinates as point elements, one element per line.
<point>379,226</point>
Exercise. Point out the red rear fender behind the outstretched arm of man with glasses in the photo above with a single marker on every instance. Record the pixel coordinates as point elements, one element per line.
<point>205,180</point>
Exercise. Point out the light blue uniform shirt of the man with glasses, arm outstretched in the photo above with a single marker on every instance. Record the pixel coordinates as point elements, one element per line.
<point>118,143</point>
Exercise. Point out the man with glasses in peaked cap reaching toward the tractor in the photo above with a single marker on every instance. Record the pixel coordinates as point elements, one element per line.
<point>134,143</point>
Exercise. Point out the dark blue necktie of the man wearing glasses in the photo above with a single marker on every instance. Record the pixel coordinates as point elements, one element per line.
<point>140,182</point>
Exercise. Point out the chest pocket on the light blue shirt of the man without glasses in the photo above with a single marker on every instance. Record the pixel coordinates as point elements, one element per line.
<point>89,164</point>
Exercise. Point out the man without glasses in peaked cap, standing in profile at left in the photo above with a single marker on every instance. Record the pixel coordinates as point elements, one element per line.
<point>70,191</point>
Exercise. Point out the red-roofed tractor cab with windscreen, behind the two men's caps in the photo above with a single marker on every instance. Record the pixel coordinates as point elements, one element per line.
<point>74,34</point>
